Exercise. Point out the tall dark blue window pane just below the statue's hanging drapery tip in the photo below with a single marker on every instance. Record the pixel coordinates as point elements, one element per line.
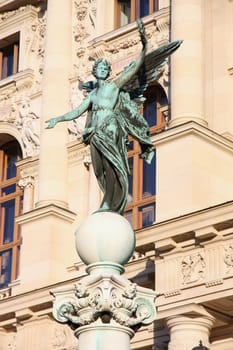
<point>149,180</point>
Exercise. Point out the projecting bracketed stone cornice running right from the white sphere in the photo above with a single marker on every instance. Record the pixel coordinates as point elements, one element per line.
<point>184,227</point>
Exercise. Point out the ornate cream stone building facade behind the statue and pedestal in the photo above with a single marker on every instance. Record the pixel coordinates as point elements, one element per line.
<point>180,206</point>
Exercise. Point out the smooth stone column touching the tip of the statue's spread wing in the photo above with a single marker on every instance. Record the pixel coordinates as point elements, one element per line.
<point>187,63</point>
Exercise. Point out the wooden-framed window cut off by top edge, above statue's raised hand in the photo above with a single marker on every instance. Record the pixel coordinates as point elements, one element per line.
<point>128,11</point>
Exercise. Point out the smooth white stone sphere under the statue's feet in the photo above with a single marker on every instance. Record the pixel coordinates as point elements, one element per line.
<point>105,236</point>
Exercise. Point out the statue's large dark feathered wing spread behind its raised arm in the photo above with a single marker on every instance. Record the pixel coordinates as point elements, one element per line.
<point>150,69</point>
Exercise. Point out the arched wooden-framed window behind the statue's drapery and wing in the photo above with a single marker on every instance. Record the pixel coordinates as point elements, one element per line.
<point>141,208</point>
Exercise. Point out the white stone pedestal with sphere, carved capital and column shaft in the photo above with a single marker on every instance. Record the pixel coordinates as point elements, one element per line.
<point>104,308</point>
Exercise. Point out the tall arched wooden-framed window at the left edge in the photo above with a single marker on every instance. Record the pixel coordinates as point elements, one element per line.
<point>10,207</point>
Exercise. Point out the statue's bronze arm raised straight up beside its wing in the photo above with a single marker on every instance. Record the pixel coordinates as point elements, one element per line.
<point>135,65</point>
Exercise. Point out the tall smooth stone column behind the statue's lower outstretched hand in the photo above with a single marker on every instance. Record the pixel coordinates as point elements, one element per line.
<point>55,102</point>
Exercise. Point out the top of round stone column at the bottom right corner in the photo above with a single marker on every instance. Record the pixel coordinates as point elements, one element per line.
<point>186,332</point>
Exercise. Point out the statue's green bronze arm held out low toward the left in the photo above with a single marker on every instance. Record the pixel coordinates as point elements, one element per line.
<point>77,112</point>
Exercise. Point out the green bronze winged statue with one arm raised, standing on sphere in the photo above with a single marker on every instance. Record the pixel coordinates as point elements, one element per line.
<point>113,115</point>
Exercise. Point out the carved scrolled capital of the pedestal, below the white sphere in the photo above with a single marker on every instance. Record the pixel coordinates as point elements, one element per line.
<point>104,299</point>
